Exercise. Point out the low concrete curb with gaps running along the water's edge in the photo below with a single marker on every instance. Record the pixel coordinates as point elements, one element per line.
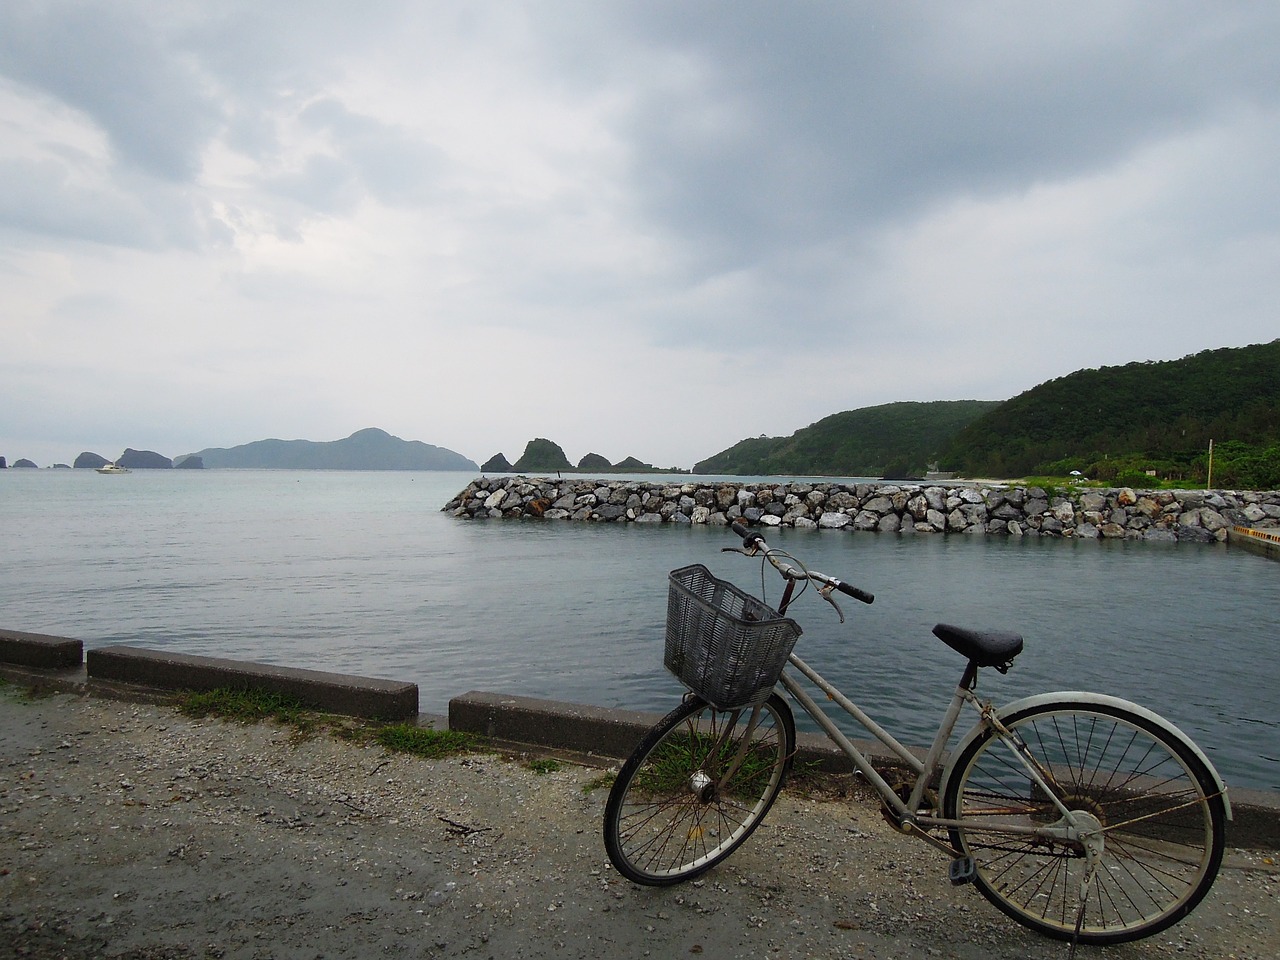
<point>593,733</point>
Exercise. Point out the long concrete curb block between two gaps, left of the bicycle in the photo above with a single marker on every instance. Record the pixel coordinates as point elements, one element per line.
<point>333,693</point>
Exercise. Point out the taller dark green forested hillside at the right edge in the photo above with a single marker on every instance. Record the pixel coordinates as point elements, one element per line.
<point>1118,423</point>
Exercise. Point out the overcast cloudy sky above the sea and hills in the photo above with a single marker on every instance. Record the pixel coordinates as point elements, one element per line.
<point>636,228</point>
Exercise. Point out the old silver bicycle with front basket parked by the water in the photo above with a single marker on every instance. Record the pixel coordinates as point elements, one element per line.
<point>1082,816</point>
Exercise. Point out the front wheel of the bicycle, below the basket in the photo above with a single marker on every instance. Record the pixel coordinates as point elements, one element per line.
<point>696,789</point>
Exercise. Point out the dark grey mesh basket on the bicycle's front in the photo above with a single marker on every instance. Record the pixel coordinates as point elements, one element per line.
<point>724,644</point>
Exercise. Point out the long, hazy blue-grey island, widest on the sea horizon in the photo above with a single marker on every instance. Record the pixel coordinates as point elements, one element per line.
<point>365,450</point>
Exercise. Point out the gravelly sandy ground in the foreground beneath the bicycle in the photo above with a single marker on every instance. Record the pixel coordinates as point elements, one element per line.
<point>130,831</point>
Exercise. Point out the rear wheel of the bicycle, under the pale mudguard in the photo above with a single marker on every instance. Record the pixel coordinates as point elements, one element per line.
<point>1160,808</point>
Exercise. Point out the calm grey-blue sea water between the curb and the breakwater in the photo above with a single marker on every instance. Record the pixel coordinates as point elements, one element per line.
<point>360,573</point>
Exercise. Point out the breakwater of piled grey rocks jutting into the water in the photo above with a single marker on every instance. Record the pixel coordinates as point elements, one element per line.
<point>886,508</point>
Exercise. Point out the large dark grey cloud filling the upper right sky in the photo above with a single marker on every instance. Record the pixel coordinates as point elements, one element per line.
<point>799,124</point>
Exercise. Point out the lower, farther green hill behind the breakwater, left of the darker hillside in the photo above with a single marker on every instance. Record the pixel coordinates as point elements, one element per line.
<point>895,440</point>
